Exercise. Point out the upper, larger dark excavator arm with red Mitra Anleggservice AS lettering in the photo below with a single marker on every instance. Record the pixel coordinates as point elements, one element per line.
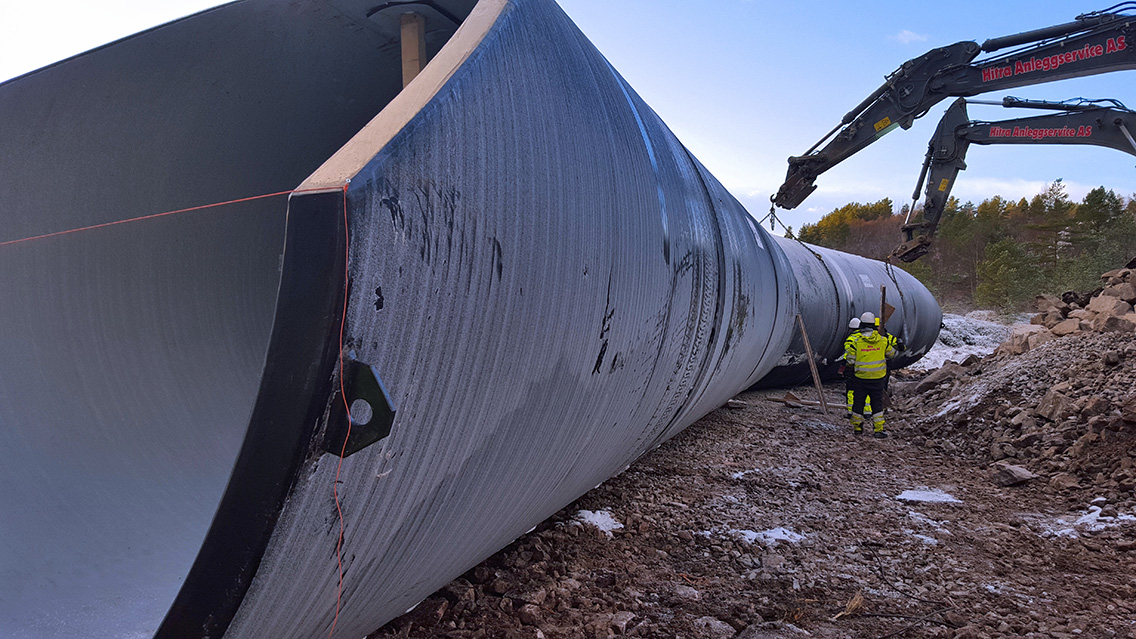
<point>1093,44</point>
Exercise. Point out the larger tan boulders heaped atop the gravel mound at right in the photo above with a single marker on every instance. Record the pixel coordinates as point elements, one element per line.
<point>1109,309</point>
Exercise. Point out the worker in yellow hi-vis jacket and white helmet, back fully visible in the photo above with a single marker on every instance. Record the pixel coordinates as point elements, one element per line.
<point>868,352</point>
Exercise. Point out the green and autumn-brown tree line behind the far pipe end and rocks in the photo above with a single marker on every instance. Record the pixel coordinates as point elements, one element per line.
<point>1001,253</point>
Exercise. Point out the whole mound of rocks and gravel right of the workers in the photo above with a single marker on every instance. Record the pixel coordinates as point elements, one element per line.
<point>1058,399</point>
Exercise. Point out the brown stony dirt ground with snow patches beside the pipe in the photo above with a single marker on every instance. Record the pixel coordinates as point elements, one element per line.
<point>773,521</point>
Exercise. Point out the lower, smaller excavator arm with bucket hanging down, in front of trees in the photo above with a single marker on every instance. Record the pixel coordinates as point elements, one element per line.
<point>1102,123</point>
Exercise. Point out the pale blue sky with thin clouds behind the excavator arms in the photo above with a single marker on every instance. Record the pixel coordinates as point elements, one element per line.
<point>745,84</point>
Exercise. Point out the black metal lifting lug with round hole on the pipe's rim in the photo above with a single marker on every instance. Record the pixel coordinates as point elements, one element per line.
<point>371,409</point>
